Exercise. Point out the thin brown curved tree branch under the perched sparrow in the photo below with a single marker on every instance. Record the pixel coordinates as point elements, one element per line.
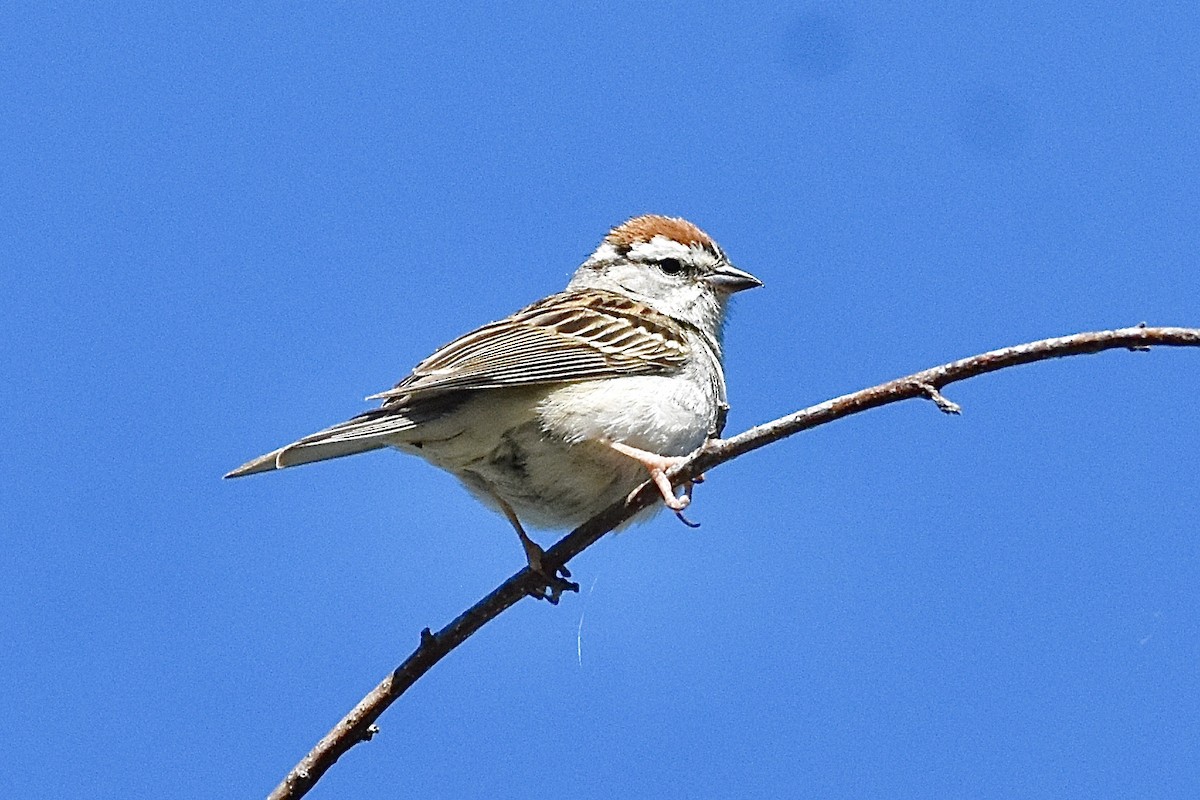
<point>359,724</point>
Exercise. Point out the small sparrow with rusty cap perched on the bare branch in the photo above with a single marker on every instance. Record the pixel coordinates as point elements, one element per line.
<point>562,410</point>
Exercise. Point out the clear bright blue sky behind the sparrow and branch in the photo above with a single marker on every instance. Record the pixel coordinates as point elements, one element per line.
<point>224,226</point>
